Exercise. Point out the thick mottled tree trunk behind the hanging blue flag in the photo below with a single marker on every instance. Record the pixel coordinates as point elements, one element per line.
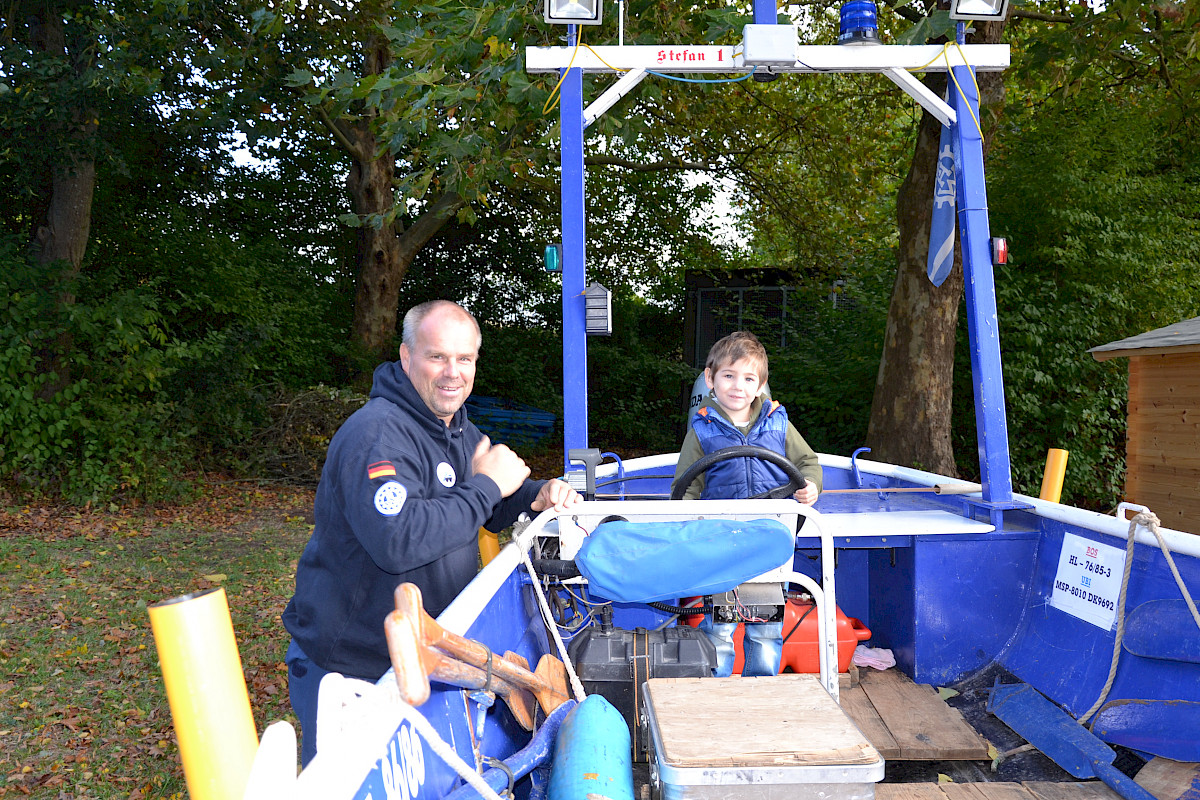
<point>911,410</point>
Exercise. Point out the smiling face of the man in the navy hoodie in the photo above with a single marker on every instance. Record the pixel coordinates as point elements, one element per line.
<point>442,365</point>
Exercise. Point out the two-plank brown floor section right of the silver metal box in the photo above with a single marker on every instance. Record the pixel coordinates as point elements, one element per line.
<point>908,721</point>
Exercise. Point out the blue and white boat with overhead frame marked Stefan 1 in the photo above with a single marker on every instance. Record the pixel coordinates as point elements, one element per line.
<point>1051,613</point>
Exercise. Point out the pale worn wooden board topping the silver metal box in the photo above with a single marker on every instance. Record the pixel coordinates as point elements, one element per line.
<point>782,721</point>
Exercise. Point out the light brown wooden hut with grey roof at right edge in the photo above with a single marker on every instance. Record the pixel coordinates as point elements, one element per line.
<point>1163,440</point>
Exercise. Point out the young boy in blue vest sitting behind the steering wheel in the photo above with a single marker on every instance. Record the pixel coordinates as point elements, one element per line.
<point>735,413</point>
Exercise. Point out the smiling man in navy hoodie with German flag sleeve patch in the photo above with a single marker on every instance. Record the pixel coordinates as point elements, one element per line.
<point>407,484</point>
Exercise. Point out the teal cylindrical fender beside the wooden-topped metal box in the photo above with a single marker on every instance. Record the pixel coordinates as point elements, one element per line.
<point>592,756</point>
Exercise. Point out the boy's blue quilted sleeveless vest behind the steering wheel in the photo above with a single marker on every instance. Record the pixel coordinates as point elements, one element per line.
<point>742,478</point>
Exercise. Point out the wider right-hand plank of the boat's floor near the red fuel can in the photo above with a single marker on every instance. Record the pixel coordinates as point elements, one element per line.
<point>922,725</point>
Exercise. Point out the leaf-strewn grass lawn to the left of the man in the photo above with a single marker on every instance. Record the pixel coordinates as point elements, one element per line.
<point>83,711</point>
